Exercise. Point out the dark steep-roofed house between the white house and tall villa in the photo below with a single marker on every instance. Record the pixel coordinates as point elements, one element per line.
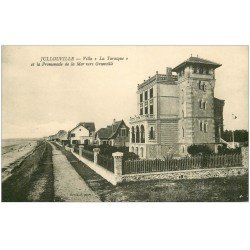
<point>116,134</point>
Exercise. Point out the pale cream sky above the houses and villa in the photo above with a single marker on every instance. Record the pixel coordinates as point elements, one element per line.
<point>40,101</point>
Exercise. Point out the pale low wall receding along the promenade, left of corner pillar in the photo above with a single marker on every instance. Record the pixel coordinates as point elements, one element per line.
<point>109,176</point>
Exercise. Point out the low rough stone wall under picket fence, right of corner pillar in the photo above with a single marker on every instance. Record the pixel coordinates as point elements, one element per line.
<point>187,174</point>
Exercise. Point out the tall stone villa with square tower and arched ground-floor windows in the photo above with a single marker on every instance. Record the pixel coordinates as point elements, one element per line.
<point>177,110</point>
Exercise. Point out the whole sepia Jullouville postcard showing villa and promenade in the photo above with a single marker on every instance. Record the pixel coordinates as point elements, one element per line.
<point>124,123</point>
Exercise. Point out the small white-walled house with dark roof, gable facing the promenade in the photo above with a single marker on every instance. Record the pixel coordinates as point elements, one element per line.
<point>83,133</point>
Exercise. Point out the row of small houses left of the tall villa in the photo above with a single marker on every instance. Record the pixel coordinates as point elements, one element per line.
<point>84,133</point>
